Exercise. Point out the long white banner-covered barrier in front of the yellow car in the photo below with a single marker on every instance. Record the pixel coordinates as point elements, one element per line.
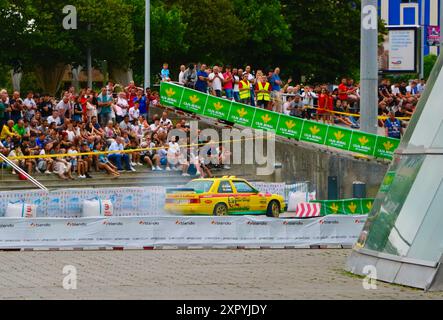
<point>141,232</point>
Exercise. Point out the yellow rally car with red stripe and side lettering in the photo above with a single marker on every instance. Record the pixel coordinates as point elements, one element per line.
<point>222,196</point>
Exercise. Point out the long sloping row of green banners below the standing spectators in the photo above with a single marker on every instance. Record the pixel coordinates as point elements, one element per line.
<point>290,127</point>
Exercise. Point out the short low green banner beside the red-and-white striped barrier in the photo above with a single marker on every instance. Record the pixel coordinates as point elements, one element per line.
<point>346,206</point>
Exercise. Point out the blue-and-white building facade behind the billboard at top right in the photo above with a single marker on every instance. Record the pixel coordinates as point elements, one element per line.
<point>409,12</point>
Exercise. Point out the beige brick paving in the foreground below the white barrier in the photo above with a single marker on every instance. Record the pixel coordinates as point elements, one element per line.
<point>190,274</point>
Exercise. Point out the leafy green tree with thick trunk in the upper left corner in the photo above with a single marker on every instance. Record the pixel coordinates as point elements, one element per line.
<point>43,45</point>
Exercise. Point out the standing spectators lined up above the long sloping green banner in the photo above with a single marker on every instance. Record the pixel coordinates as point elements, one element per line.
<point>330,103</point>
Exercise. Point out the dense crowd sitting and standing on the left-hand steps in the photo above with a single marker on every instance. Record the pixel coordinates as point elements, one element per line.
<point>115,119</point>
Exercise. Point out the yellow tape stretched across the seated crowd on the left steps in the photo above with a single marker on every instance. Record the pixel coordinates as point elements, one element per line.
<point>61,155</point>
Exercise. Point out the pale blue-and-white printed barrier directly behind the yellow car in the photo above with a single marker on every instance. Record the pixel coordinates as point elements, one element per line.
<point>128,201</point>
